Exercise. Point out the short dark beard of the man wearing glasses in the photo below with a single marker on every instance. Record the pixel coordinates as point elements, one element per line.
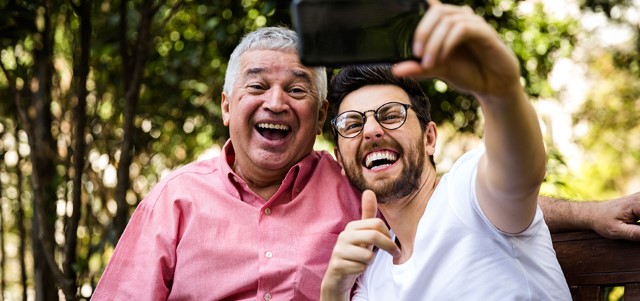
<point>408,182</point>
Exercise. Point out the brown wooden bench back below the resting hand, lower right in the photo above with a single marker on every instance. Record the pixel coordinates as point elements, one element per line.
<point>592,264</point>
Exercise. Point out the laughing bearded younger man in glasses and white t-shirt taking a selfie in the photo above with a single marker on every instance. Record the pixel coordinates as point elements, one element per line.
<point>475,233</point>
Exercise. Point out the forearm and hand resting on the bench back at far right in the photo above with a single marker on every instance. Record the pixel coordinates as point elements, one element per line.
<point>614,219</point>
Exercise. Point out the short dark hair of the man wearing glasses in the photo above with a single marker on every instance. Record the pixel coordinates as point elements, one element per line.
<point>354,77</point>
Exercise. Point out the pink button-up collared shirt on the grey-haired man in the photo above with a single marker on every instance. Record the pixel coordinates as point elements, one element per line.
<point>202,234</point>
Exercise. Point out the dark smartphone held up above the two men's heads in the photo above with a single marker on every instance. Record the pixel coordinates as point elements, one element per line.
<point>334,33</point>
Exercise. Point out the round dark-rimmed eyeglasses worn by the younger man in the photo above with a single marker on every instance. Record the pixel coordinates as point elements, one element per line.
<point>390,116</point>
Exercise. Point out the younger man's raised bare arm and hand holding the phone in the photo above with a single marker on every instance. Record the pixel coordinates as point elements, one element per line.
<point>462,49</point>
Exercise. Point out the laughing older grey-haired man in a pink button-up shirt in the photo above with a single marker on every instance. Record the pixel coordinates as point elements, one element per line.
<point>257,222</point>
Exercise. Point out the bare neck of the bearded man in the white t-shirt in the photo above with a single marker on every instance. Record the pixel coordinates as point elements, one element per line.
<point>404,215</point>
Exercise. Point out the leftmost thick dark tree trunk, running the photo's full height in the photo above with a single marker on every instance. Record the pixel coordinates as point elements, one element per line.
<point>44,175</point>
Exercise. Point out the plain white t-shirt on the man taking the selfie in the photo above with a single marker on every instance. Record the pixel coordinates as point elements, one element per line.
<point>460,255</point>
